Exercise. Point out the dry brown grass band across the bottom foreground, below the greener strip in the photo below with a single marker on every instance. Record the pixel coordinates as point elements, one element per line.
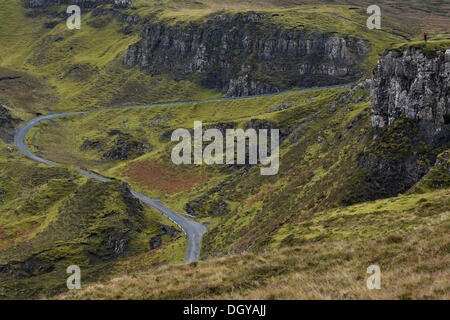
<point>413,270</point>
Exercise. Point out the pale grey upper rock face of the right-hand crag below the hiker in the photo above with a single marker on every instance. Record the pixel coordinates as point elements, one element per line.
<point>415,86</point>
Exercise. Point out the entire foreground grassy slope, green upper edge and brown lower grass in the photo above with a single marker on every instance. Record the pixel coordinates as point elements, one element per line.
<point>407,237</point>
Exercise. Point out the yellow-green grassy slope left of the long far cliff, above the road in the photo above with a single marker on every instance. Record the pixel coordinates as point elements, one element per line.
<point>83,67</point>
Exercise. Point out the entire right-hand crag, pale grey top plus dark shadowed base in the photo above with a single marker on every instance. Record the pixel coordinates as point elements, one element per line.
<point>411,120</point>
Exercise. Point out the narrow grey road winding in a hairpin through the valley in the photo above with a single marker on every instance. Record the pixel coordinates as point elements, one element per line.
<point>194,231</point>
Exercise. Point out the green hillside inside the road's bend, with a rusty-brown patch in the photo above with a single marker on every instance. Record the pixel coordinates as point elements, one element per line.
<point>325,133</point>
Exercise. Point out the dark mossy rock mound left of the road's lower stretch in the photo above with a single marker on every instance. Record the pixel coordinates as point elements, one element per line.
<point>110,240</point>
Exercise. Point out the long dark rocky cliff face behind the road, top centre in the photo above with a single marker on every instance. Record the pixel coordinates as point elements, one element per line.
<point>245,54</point>
